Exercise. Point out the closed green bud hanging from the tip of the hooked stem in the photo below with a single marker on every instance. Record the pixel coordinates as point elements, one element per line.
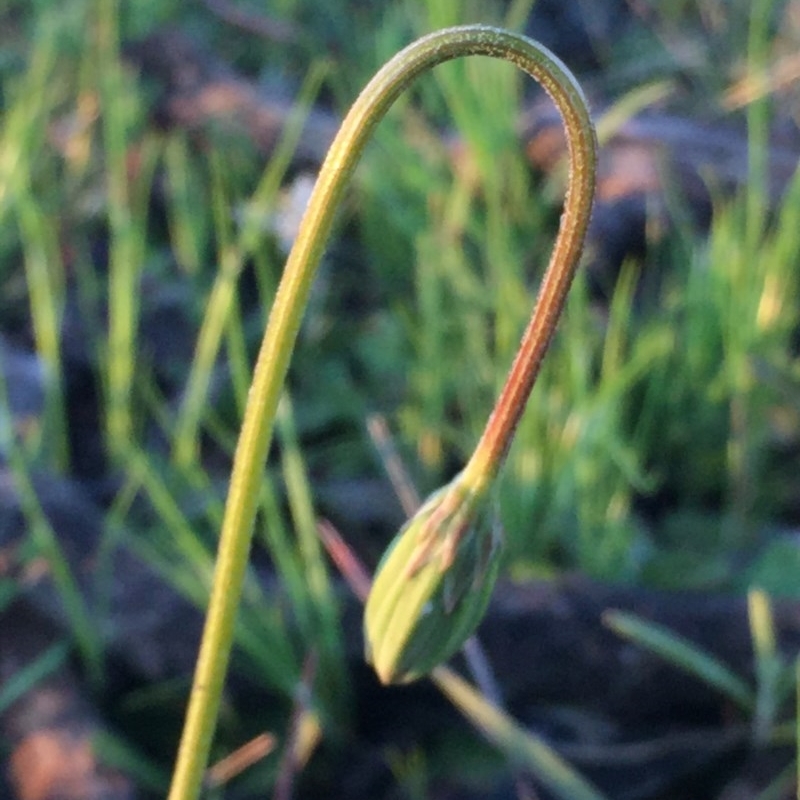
<point>432,586</point>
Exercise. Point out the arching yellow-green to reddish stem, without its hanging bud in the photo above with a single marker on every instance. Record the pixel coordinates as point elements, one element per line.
<point>289,305</point>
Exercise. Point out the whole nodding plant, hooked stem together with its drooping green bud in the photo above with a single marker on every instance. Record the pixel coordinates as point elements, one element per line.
<point>433,585</point>
